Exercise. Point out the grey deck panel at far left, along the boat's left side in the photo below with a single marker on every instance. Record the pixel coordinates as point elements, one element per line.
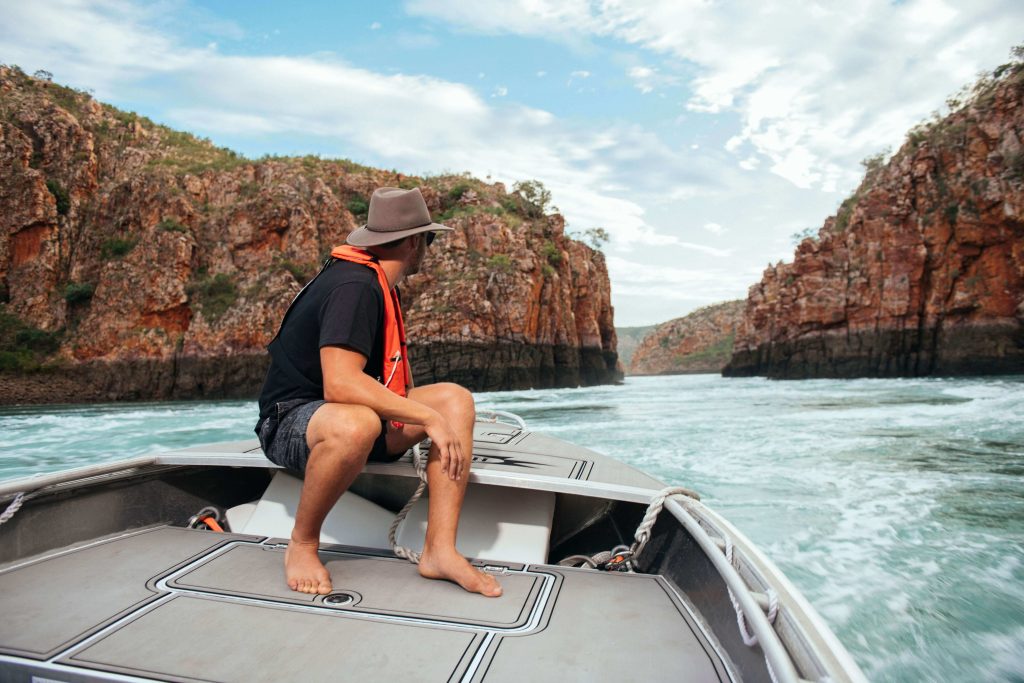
<point>51,604</point>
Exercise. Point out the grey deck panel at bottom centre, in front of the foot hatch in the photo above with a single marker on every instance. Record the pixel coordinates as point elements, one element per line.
<point>190,638</point>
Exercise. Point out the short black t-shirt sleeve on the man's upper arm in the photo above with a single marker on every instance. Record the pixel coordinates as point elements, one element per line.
<point>351,316</point>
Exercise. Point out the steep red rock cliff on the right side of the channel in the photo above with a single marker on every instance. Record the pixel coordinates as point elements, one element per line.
<point>921,272</point>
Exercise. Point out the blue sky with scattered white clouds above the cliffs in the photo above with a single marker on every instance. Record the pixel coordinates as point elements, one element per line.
<point>701,136</point>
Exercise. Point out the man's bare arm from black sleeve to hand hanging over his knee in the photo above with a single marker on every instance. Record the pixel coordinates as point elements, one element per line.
<point>345,382</point>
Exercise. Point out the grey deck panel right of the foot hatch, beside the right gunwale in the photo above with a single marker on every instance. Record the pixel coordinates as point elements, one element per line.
<point>608,627</point>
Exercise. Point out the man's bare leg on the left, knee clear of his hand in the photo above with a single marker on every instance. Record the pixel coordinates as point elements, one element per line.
<point>340,439</point>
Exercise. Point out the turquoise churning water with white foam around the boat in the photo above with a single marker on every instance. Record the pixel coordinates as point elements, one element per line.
<point>897,506</point>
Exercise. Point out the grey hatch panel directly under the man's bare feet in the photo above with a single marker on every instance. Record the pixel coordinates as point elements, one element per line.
<point>381,586</point>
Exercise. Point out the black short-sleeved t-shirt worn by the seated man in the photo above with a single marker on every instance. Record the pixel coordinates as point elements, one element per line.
<point>343,307</point>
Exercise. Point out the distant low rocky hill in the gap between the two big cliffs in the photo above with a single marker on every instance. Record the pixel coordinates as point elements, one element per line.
<point>701,343</point>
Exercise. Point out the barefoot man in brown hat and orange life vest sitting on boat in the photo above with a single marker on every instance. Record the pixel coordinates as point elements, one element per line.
<point>339,393</point>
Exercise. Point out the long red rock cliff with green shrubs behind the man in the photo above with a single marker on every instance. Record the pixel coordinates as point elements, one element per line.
<point>141,263</point>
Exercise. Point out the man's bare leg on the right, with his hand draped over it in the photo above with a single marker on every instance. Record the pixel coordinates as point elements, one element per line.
<point>441,560</point>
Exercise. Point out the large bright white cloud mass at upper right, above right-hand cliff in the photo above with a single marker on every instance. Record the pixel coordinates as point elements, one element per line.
<point>817,90</point>
